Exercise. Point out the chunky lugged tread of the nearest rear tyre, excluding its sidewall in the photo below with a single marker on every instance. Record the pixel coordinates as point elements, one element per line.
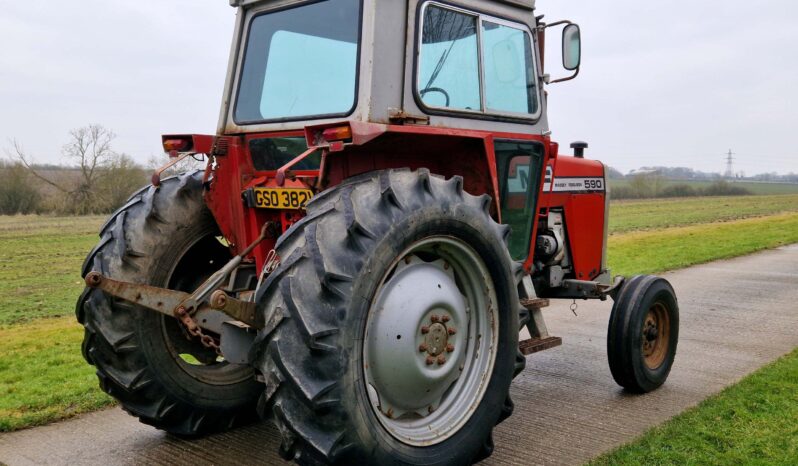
<point>302,393</point>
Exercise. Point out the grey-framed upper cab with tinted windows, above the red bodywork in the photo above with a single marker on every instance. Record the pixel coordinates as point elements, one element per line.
<point>420,62</point>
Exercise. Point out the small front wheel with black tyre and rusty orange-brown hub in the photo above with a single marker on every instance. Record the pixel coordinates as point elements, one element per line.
<point>643,333</point>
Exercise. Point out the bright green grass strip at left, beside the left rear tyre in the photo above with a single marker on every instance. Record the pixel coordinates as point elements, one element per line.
<point>43,377</point>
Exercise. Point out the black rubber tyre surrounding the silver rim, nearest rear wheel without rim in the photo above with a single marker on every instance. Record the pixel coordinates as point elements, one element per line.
<point>316,305</point>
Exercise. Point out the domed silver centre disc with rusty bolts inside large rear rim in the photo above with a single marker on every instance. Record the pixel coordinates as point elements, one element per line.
<point>409,339</point>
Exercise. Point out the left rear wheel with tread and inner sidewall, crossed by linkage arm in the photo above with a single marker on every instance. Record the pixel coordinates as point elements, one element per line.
<point>164,237</point>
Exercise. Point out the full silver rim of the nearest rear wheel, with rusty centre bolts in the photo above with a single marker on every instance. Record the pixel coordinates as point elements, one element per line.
<point>430,341</point>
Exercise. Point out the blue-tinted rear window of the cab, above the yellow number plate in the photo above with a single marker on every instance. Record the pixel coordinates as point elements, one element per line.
<point>300,62</point>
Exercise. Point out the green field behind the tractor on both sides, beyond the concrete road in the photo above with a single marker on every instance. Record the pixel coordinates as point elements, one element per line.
<point>40,259</point>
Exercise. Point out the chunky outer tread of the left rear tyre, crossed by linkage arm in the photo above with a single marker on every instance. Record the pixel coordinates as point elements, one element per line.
<point>110,342</point>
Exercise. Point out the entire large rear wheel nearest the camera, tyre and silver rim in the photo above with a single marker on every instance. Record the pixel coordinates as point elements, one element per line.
<point>393,279</point>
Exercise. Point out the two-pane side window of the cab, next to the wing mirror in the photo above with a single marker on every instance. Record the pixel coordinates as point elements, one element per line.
<point>472,62</point>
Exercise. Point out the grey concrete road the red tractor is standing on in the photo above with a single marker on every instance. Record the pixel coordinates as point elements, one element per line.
<point>736,315</point>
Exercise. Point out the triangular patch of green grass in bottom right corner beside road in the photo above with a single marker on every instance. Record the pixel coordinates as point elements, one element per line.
<point>752,422</point>
